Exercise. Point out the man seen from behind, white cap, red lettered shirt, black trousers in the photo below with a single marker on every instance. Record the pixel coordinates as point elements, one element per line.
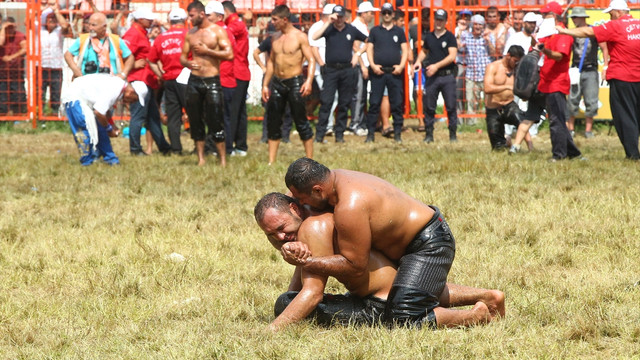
<point>164,59</point>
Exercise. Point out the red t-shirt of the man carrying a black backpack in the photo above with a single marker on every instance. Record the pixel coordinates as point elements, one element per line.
<point>554,75</point>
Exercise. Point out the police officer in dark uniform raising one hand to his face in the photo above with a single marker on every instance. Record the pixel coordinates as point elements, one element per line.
<point>339,71</point>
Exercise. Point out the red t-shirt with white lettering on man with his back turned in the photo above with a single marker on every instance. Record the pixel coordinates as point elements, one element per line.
<point>167,49</point>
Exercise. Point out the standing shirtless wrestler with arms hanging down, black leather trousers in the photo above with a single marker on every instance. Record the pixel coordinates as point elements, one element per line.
<point>289,49</point>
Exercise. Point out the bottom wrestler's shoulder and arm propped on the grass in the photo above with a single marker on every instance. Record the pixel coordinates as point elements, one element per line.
<point>312,232</point>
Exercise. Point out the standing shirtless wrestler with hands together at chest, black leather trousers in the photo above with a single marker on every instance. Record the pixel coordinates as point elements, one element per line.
<point>208,44</point>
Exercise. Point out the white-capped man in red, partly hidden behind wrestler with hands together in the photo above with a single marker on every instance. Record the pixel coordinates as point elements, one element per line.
<point>215,11</point>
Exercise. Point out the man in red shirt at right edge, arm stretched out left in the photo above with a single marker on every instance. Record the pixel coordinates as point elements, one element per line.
<point>622,35</point>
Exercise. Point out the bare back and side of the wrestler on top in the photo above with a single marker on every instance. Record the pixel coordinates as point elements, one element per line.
<point>394,218</point>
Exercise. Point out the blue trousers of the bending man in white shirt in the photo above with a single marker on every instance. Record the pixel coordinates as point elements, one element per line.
<point>78,125</point>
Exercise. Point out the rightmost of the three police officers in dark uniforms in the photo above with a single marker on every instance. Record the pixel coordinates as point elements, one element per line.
<point>441,48</point>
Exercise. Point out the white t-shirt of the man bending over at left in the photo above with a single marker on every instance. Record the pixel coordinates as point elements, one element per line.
<point>98,91</point>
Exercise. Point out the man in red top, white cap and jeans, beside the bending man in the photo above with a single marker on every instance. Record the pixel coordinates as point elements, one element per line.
<point>138,42</point>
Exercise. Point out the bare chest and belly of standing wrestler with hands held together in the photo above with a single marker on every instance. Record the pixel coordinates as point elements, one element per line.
<point>206,65</point>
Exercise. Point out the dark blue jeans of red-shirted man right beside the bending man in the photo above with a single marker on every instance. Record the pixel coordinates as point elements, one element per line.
<point>148,113</point>
